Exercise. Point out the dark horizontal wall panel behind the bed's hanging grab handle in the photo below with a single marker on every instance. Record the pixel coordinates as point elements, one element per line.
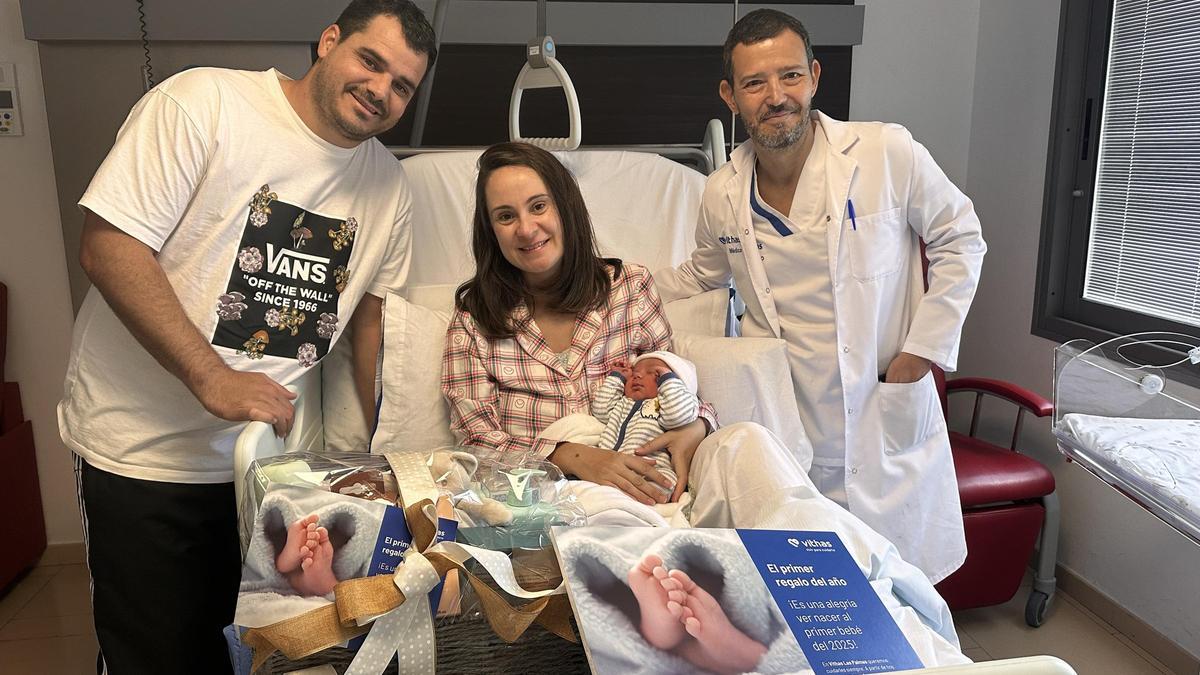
<point>651,95</point>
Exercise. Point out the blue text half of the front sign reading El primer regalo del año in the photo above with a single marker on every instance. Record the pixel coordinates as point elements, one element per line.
<point>838,620</point>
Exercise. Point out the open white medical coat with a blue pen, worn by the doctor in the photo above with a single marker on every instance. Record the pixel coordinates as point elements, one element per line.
<point>899,471</point>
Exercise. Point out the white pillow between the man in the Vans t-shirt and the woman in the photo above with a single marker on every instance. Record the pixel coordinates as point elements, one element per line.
<point>413,415</point>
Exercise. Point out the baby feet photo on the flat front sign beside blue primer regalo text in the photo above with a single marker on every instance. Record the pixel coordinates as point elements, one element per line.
<point>671,601</point>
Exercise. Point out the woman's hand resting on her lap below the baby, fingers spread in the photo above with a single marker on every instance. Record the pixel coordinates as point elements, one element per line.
<point>632,475</point>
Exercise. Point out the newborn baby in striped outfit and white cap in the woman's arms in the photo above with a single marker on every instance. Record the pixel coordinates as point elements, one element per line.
<point>638,403</point>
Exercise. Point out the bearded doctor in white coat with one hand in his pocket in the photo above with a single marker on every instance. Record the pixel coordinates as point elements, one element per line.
<point>819,224</point>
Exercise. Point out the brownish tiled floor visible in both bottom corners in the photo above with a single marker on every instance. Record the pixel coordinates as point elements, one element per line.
<point>46,630</point>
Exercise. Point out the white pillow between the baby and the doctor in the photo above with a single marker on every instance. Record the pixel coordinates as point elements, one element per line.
<point>748,380</point>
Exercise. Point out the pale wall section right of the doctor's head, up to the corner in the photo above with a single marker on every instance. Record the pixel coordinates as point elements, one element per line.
<point>916,68</point>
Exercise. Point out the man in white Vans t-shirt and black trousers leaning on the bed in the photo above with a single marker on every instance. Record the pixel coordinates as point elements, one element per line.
<point>241,223</point>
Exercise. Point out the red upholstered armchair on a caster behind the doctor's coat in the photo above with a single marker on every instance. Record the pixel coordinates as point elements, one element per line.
<point>1009,504</point>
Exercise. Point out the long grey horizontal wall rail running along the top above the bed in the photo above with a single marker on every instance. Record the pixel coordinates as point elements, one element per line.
<point>478,22</point>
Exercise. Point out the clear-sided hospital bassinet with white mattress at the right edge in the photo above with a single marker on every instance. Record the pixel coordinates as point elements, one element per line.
<point>1123,413</point>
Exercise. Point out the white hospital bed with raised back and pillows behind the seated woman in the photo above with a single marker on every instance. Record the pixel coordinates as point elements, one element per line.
<point>644,211</point>
